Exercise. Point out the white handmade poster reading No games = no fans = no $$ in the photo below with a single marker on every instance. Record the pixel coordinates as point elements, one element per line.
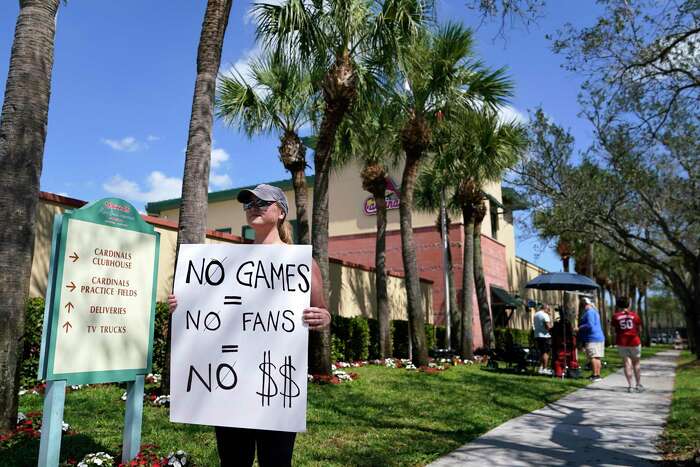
<point>239,345</point>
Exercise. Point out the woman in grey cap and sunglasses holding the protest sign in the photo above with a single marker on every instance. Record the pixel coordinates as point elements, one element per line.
<point>266,212</point>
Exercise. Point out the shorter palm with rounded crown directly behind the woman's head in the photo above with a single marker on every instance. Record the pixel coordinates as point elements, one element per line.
<point>279,99</point>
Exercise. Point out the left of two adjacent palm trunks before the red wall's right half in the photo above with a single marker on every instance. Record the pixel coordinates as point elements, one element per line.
<point>466,338</point>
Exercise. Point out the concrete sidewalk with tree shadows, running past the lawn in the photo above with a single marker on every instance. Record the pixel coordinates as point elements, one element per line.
<point>600,425</point>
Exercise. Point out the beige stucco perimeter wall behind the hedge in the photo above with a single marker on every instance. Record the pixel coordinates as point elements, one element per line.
<point>352,289</point>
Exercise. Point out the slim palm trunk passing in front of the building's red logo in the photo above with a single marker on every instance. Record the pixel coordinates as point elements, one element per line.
<point>385,344</point>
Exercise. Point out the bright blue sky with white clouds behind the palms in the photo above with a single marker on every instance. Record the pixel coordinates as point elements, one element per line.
<point>124,75</point>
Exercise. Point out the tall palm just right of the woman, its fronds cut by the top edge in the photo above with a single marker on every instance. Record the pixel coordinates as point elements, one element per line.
<point>335,39</point>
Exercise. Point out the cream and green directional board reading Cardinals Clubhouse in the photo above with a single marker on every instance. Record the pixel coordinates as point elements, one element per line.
<point>98,323</point>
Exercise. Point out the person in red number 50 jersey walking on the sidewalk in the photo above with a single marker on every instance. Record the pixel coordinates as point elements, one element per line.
<point>628,327</point>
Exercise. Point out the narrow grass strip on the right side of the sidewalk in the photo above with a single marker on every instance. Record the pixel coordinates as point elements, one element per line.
<point>681,438</point>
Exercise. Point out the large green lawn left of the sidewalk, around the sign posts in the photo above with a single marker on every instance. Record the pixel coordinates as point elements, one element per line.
<point>386,417</point>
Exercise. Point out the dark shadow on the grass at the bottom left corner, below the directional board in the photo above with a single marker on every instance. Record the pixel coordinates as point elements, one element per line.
<point>26,452</point>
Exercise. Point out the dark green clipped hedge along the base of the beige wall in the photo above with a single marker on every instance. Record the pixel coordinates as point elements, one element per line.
<point>352,339</point>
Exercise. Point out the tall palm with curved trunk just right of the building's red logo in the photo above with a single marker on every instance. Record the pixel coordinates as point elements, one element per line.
<point>436,73</point>
